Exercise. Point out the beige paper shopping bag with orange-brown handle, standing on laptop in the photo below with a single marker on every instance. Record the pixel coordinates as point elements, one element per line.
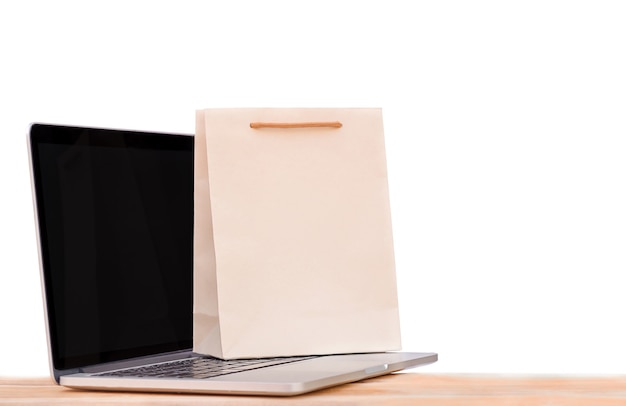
<point>293,250</point>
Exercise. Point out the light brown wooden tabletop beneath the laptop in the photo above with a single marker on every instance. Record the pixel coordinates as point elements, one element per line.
<point>397,389</point>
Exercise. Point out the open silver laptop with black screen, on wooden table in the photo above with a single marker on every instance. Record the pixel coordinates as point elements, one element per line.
<point>114,215</point>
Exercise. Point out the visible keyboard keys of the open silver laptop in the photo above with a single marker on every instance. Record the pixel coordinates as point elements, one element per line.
<point>199,367</point>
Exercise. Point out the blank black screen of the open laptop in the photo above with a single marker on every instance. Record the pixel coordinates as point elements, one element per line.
<point>115,212</point>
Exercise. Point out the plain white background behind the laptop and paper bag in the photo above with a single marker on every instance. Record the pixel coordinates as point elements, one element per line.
<point>506,139</point>
